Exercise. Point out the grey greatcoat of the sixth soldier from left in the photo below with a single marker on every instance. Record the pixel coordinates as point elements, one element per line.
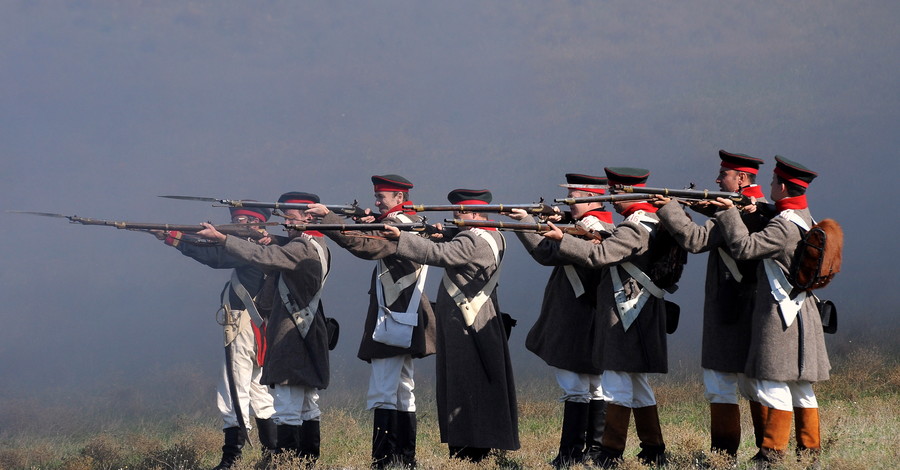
<point>643,347</point>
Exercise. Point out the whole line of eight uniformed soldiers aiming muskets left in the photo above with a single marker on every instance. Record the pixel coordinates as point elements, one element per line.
<point>602,325</point>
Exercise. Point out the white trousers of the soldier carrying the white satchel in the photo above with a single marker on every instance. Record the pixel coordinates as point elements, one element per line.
<point>391,384</point>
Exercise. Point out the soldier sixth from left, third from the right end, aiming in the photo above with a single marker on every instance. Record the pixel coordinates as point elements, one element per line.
<point>633,333</point>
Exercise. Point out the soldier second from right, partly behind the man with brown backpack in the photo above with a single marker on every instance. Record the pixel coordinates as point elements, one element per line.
<point>728,305</point>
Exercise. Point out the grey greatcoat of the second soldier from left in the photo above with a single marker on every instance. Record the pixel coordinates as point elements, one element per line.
<point>291,359</point>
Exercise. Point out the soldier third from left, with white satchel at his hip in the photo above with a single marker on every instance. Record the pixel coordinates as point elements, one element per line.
<point>397,291</point>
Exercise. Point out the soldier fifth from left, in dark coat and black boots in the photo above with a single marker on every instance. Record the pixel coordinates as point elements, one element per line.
<point>567,332</point>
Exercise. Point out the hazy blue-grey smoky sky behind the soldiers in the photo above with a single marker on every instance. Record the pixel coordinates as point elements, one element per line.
<point>106,105</point>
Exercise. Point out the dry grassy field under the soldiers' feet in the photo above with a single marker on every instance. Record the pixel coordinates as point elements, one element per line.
<point>860,414</point>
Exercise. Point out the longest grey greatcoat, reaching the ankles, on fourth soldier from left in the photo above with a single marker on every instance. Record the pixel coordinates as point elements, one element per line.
<point>476,395</point>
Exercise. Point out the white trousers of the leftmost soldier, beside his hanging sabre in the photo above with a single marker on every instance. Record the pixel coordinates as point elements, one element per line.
<point>254,398</point>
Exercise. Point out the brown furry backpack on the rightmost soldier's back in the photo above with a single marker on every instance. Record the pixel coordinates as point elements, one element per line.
<point>818,256</point>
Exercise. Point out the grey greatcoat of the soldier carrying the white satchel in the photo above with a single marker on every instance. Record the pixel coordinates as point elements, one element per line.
<point>379,249</point>
